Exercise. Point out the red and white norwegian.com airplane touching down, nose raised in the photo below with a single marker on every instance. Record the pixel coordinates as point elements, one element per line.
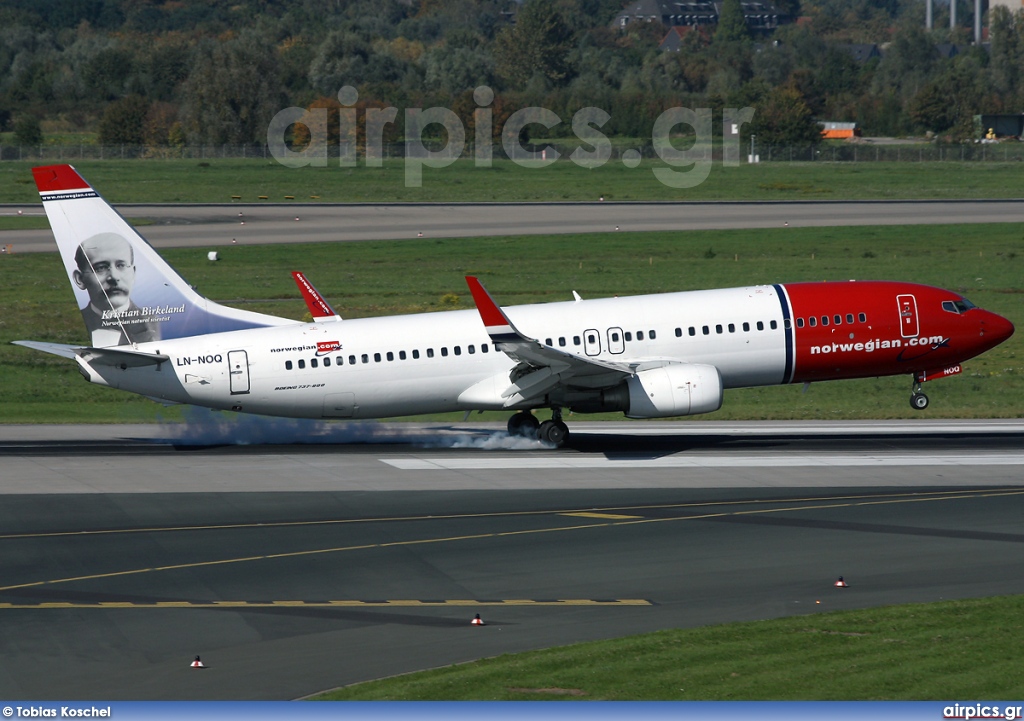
<point>648,357</point>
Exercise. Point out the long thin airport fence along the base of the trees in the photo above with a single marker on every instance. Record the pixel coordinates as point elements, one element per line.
<point>846,153</point>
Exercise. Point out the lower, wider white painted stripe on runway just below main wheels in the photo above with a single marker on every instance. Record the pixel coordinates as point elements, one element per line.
<point>746,461</point>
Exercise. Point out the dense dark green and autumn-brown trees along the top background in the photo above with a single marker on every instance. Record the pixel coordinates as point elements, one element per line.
<point>192,72</point>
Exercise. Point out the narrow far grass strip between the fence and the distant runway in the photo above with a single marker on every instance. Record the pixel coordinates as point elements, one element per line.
<point>217,181</point>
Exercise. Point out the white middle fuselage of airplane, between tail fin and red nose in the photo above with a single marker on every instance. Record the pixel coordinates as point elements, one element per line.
<point>409,365</point>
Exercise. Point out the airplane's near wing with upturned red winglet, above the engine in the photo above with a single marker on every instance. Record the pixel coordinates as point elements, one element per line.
<point>541,367</point>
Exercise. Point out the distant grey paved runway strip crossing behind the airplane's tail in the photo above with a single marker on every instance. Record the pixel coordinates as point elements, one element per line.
<point>211,226</point>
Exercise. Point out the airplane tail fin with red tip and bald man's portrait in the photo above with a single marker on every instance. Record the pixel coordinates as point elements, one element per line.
<point>126,292</point>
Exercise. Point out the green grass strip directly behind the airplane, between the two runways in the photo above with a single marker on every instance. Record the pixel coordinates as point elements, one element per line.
<point>986,263</point>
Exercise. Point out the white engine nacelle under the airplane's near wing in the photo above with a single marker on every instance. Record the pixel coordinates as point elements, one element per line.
<point>679,390</point>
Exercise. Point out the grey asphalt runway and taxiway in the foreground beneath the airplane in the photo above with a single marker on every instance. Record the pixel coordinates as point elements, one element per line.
<point>290,569</point>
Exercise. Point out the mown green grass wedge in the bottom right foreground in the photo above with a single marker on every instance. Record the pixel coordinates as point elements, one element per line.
<point>954,650</point>
